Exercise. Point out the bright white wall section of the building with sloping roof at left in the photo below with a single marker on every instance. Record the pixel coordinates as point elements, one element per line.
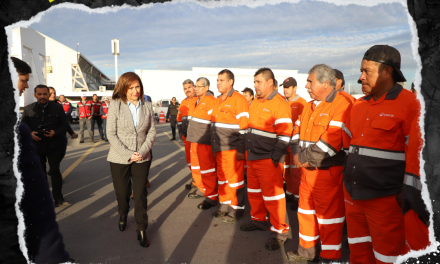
<point>61,58</point>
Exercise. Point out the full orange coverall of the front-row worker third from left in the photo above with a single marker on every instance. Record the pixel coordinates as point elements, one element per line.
<point>229,127</point>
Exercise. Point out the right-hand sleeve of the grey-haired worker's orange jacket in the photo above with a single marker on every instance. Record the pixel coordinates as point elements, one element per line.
<point>330,142</point>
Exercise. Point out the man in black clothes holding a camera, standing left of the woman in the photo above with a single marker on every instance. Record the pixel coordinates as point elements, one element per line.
<point>48,124</point>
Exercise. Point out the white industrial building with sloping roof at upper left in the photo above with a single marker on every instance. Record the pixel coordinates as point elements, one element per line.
<point>56,65</point>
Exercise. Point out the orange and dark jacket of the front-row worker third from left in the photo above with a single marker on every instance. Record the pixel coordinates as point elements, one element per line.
<point>229,123</point>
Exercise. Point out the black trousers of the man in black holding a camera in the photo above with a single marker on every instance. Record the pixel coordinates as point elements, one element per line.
<point>54,158</point>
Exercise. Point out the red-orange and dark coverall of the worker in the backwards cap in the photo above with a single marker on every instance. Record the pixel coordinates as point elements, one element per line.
<point>374,174</point>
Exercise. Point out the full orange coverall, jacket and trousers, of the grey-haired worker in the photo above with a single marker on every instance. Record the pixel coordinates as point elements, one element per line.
<point>318,138</point>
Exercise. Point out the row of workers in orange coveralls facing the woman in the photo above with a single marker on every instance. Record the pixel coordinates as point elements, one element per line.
<point>342,159</point>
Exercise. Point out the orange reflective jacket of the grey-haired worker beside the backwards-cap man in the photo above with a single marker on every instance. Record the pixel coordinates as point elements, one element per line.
<point>318,134</point>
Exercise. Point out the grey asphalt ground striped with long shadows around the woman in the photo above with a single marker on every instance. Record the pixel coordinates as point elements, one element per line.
<point>178,231</point>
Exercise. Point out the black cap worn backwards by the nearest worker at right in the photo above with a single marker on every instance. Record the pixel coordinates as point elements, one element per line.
<point>387,55</point>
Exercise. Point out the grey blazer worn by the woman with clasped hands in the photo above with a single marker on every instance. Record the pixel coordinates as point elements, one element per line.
<point>124,138</point>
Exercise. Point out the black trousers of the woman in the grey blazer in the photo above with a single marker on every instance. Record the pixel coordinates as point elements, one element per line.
<point>121,174</point>
